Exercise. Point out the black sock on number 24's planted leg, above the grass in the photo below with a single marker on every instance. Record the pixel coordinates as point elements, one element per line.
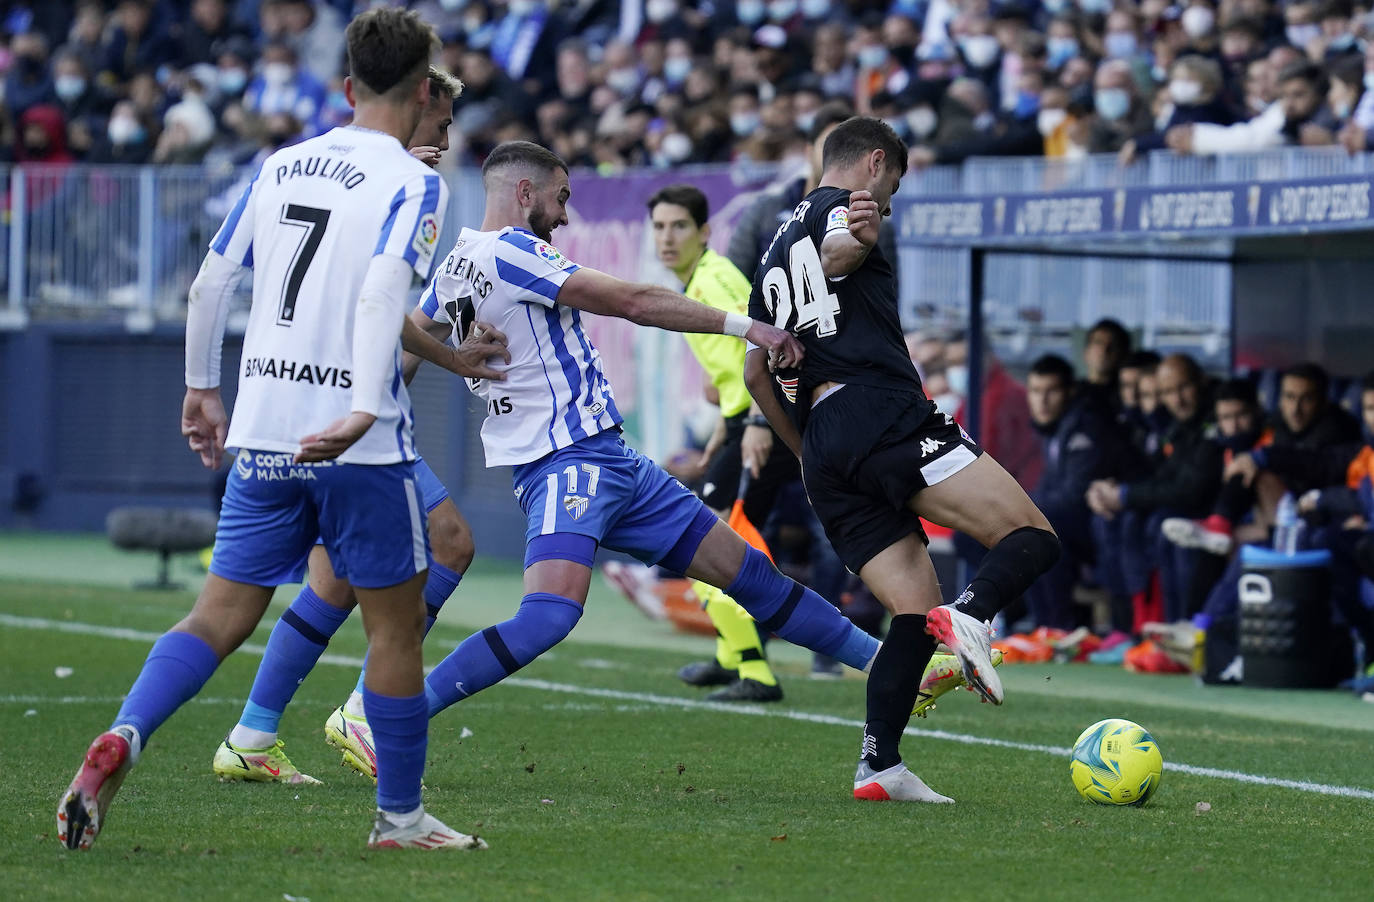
<point>892,688</point>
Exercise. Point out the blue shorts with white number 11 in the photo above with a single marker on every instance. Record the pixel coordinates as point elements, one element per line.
<point>602,489</point>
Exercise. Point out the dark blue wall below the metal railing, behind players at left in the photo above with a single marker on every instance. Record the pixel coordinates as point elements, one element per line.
<point>90,421</point>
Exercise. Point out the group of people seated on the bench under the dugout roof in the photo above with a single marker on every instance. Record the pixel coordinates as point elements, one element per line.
<point>1155,475</point>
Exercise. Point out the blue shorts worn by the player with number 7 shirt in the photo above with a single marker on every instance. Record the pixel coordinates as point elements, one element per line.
<point>369,519</point>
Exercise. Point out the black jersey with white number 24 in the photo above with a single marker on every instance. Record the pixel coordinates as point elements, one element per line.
<point>850,327</point>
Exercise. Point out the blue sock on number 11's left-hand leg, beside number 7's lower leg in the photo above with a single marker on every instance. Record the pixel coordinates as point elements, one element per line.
<point>487,658</point>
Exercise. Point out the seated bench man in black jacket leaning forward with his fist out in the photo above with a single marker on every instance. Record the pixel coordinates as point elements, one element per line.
<point>1185,482</point>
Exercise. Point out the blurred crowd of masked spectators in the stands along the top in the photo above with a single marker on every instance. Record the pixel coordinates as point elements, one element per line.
<point>681,82</point>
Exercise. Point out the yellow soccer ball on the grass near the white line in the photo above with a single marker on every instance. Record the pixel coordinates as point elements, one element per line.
<point>1116,762</point>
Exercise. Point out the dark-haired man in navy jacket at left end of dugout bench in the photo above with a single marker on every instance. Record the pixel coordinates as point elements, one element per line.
<point>1079,448</point>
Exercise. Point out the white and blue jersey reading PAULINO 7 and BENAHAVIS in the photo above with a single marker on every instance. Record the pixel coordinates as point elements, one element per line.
<point>310,225</point>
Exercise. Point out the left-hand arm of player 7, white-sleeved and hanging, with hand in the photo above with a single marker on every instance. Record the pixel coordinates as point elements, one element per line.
<point>204,421</point>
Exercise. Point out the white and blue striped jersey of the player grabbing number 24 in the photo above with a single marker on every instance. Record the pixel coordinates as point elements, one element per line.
<point>556,393</point>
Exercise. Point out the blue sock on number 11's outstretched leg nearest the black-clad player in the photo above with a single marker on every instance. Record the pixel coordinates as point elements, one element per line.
<point>796,614</point>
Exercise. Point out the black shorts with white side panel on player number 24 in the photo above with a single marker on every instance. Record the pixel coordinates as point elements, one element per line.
<point>865,454</point>
